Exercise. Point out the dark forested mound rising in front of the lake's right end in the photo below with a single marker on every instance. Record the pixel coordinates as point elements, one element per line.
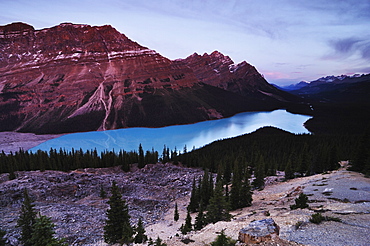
<point>270,149</point>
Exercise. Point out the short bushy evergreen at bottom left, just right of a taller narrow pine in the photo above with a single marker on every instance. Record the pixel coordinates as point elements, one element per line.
<point>43,234</point>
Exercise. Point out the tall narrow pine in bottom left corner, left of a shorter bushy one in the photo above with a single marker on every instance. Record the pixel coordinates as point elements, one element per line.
<point>27,219</point>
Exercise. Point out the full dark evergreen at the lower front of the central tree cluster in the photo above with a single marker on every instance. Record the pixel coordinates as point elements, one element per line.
<point>218,208</point>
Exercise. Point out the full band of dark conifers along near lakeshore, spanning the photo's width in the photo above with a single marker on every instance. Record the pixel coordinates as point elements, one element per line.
<point>264,152</point>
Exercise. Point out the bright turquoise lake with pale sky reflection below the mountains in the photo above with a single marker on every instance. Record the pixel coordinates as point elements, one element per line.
<point>192,135</point>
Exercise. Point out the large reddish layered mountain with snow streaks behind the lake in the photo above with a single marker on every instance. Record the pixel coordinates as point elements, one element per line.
<point>74,77</point>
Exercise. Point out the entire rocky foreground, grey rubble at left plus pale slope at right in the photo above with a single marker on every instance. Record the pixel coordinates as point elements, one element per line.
<point>72,200</point>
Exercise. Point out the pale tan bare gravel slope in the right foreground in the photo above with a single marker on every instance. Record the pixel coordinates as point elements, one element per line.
<point>276,199</point>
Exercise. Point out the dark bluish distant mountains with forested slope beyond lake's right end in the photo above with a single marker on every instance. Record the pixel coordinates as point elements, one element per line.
<point>340,104</point>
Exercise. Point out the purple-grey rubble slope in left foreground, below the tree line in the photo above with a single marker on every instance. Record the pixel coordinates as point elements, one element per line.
<point>73,199</point>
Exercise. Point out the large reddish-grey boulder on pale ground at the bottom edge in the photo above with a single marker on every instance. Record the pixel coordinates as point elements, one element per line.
<point>259,231</point>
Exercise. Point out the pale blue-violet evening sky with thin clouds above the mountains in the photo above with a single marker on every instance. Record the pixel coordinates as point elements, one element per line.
<point>286,40</point>
